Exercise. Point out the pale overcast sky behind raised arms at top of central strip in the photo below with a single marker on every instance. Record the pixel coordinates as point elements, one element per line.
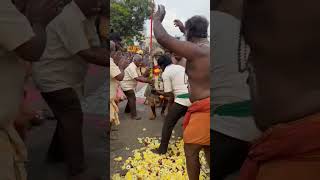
<point>183,10</point>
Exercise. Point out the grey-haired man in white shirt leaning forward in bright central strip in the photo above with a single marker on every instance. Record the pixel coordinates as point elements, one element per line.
<point>129,84</point>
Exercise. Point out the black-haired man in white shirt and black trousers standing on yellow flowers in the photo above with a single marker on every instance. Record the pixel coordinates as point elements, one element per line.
<point>175,83</point>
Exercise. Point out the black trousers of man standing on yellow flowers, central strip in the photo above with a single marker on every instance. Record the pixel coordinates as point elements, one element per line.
<point>176,111</point>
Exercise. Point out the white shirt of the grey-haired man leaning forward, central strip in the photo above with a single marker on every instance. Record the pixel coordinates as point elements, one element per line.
<point>130,73</point>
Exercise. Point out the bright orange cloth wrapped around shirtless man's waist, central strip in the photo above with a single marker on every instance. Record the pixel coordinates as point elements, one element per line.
<point>197,123</point>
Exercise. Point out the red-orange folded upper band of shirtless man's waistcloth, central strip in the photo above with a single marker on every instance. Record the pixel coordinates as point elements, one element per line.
<point>198,106</point>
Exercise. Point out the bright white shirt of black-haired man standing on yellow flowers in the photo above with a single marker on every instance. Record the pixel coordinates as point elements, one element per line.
<point>175,80</point>
